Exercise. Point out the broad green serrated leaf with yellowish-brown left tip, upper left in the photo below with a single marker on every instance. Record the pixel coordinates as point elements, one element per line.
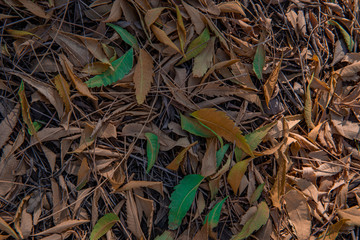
<point>122,66</point>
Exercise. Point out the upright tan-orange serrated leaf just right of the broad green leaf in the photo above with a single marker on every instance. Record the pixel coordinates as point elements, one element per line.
<point>143,76</point>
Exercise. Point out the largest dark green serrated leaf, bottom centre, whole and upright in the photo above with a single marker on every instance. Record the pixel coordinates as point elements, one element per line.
<point>182,198</point>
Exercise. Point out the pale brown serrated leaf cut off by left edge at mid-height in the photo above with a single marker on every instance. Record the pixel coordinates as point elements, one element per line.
<point>7,125</point>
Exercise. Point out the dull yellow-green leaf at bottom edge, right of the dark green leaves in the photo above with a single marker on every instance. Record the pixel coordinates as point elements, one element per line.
<point>254,223</point>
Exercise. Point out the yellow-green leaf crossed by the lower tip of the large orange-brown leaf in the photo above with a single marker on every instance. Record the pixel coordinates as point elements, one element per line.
<point>254,139</point>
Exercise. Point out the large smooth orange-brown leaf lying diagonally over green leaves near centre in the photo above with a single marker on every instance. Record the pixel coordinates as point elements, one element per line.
<point>223,126</point>
